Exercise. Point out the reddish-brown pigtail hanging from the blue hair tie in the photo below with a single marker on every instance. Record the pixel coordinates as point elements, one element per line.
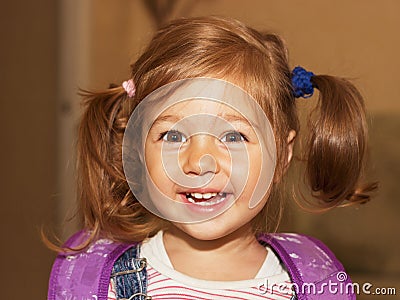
<point>337,144</point>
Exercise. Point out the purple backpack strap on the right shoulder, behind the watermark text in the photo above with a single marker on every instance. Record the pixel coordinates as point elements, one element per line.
<point>315,271</point>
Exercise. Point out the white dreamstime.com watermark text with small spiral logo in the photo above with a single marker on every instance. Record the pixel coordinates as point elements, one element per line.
<point>340,286</point>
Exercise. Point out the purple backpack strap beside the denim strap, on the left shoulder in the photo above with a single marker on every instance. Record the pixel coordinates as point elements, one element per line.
<point>84,275</point>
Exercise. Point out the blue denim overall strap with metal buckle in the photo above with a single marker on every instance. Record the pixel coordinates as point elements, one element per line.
<point>130,276</point>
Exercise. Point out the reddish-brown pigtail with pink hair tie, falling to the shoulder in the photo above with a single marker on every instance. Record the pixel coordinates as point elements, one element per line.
<point>109,208</point>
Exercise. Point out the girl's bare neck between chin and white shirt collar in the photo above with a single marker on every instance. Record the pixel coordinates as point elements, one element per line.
<point>217,259</point>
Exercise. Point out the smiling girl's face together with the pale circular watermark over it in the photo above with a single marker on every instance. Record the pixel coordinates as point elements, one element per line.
<point>201,153</point>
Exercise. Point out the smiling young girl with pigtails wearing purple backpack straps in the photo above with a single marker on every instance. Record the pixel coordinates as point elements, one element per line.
<point>181,170</point>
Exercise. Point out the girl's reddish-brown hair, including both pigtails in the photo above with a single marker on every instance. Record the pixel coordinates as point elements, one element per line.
<point>258,62</point>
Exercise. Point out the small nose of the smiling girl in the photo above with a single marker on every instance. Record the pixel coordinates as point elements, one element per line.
<point>201,155</point>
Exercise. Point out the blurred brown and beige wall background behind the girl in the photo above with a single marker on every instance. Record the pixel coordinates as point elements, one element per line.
<point>50,48</point>
